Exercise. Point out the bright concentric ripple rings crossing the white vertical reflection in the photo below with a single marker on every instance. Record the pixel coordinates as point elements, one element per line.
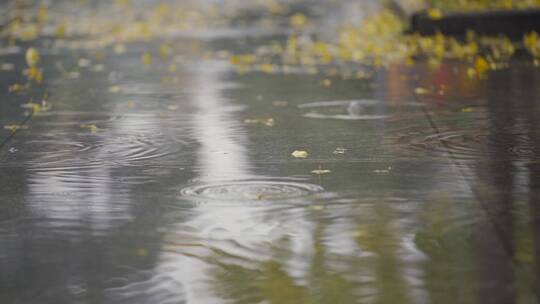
<point>251,190</point>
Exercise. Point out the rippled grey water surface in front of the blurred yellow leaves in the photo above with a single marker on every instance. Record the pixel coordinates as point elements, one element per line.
<point>135,188</point>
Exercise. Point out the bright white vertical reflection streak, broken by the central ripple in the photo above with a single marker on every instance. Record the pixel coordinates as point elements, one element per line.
<point>235,227</point>
